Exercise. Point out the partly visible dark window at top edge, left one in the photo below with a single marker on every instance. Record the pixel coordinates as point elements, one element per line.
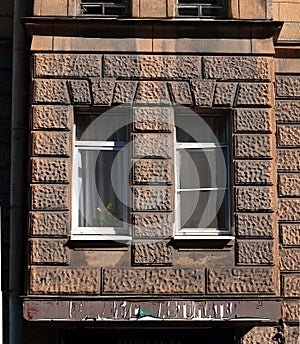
<point>115,8</point>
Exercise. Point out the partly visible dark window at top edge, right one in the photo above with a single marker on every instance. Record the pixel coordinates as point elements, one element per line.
<point>196,8</point>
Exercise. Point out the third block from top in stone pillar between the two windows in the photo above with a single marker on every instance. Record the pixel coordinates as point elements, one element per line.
<point>152,171</point>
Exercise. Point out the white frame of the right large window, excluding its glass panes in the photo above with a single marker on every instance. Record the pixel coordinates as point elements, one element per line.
<point>202,233</point>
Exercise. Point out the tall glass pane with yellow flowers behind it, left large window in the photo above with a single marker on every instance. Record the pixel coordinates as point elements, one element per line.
<point>101,178</point>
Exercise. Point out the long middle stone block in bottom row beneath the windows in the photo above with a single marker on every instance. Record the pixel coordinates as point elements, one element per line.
<point>153,281</point>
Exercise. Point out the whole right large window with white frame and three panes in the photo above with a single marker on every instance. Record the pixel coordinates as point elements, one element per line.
<point>202,193</point>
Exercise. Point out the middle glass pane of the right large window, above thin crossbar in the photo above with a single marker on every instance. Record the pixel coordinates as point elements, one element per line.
<point>202,168</point>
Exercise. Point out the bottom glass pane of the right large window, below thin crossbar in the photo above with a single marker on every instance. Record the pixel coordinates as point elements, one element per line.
<point>204,209</point>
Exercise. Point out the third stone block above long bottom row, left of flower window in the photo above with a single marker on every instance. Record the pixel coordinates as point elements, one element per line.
<point>50,197</point>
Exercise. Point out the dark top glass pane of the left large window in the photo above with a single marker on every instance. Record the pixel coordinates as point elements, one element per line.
<point>105,127</point>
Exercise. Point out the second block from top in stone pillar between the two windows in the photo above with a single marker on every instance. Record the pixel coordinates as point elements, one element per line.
<point>152,146</point>
